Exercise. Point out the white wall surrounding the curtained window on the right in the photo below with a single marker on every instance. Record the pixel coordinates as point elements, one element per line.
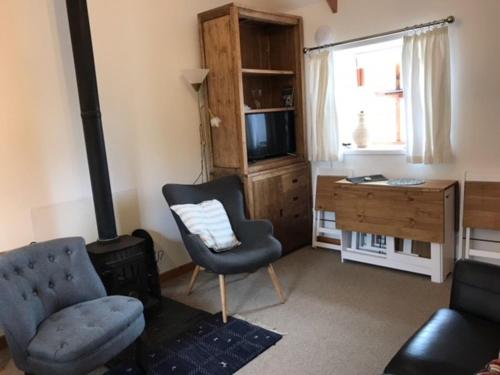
<point>476,79</point>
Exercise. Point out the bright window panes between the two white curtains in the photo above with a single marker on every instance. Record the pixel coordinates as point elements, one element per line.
<point>368,79</point>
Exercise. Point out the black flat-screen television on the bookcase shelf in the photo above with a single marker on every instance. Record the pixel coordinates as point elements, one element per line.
<point>270,134</point>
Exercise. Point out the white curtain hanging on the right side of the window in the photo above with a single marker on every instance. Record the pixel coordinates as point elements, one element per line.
<point>426,80</point>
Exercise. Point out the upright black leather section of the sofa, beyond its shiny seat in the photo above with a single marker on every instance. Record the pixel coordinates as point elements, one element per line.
<point>476,289</point>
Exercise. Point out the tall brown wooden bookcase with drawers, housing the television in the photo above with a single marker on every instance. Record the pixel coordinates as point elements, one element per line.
<point>253,56</point>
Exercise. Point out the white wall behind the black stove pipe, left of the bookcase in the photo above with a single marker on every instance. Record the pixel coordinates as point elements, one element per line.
<point>149,115</point>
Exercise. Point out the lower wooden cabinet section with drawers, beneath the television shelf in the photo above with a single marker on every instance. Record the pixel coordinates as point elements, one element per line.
<point>284,197</point>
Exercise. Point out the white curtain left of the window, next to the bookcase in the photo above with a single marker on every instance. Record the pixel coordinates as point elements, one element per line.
<point>323,132</point>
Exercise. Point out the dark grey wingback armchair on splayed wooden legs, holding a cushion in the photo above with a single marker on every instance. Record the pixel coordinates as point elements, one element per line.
<point>259,248</point>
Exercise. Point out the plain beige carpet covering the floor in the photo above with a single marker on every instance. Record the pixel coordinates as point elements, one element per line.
<point>339,318</point>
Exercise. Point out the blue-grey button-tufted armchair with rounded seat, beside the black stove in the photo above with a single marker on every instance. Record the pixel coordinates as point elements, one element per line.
<point>55,313</point>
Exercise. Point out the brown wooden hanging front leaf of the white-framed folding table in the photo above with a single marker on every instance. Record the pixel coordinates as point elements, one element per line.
<point>412,214</point>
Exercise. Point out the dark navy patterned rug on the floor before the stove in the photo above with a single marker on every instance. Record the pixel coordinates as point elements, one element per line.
<point>207,347</point>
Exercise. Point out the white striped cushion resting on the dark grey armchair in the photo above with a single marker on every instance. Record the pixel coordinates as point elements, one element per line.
<point>209,221</point>
